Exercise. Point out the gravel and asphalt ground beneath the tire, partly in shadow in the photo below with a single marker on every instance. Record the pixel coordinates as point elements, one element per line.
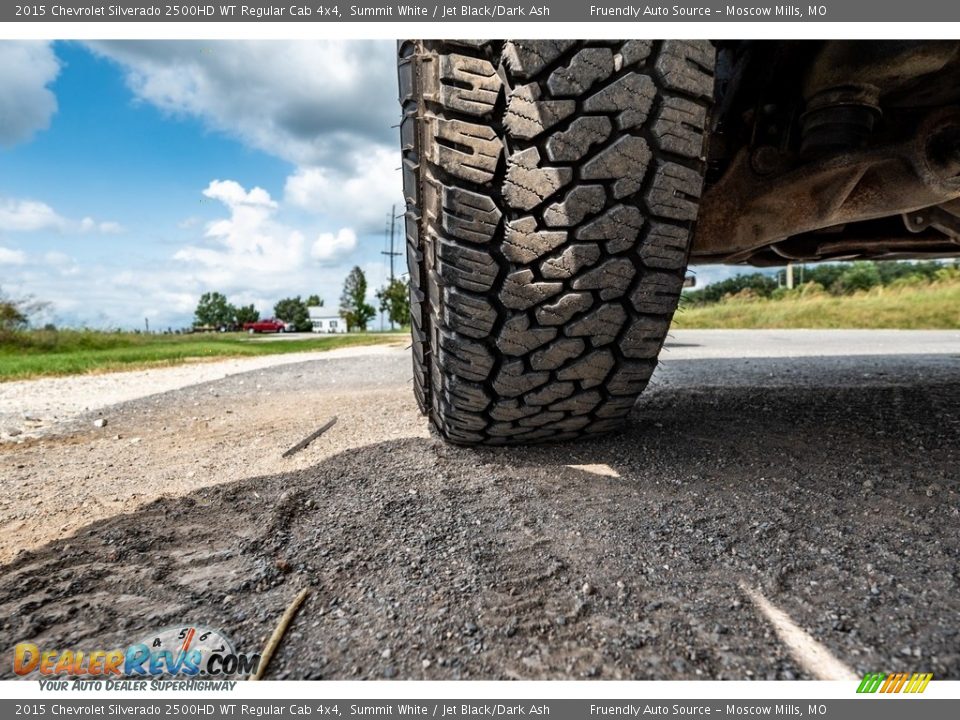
<point>782,504</point>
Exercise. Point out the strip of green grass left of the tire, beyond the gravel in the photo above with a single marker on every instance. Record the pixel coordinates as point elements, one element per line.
<point>39,353</point>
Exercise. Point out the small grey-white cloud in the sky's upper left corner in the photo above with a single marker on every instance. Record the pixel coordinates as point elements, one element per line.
<point>26,103</point>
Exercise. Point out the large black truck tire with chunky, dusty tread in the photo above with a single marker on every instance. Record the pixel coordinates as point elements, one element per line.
<point>551,190</point>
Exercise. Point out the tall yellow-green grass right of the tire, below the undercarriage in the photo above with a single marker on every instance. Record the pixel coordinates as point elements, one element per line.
<point>913,307</point>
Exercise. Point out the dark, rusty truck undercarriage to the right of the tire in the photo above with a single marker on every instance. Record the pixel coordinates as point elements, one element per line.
<point>832,150</point>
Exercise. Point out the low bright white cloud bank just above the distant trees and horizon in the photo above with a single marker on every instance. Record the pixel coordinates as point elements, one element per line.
<point>251,254</point>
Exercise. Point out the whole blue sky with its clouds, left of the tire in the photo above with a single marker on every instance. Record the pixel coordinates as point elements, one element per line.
<point>136,175</point>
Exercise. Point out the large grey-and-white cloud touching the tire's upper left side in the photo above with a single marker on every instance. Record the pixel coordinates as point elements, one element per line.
<point>324,106</point>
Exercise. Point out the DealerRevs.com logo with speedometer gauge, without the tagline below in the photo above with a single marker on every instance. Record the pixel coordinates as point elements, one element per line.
<point>188,651</point>
